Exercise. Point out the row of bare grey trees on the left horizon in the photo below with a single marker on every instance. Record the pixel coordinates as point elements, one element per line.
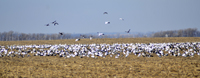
<point>15,36</point>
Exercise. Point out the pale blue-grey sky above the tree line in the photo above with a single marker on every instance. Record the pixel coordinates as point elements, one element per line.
<point>86,16</point>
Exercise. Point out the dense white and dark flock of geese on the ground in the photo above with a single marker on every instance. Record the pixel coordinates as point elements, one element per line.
<point>115,50</point>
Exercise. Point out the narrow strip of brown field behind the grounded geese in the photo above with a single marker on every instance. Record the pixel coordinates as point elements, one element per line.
<point>105,40</point>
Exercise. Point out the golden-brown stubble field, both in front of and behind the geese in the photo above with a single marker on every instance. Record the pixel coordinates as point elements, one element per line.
<point>108,67</point>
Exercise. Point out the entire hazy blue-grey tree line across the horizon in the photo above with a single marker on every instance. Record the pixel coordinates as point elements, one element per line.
<point>15,36</point>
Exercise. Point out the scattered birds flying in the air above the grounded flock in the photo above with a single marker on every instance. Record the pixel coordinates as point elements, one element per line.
<point>82,36</point>
